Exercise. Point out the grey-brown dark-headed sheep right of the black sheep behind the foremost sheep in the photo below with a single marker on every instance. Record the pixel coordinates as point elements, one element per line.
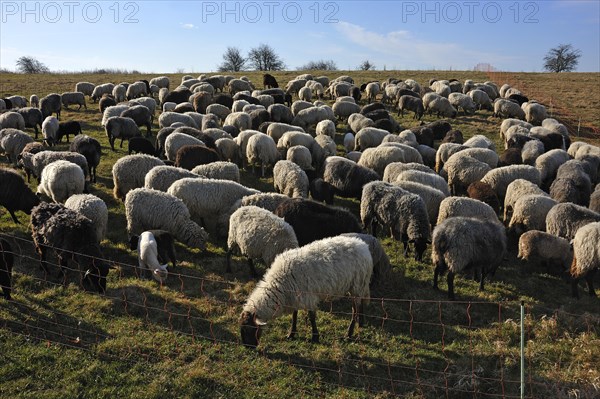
<point>400,211</point>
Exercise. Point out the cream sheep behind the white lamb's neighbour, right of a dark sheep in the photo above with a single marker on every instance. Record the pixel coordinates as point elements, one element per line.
<point>129,172</point>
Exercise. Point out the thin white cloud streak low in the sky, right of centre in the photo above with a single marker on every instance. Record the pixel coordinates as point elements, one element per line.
<point>404,48</point>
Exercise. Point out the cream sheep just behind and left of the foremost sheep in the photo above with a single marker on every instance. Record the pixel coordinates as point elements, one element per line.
<point>258,234</point>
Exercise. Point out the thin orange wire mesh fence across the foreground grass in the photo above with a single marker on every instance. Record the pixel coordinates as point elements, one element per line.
<point>435,348</point>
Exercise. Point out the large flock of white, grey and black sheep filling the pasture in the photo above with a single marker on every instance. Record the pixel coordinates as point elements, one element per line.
<point>185,185</point>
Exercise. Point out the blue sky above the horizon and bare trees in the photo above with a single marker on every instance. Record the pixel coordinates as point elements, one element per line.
<point>191,36</point>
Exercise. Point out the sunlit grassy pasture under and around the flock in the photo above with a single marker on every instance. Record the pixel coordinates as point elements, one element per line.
<point>181,340</point>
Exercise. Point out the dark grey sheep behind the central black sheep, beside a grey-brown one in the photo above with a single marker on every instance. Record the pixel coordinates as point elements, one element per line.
<point>347,177</point>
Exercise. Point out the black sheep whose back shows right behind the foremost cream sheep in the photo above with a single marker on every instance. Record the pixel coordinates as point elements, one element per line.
<point>313,221</point>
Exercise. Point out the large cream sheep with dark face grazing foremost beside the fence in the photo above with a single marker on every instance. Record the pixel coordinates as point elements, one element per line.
<point>300,278</point>
